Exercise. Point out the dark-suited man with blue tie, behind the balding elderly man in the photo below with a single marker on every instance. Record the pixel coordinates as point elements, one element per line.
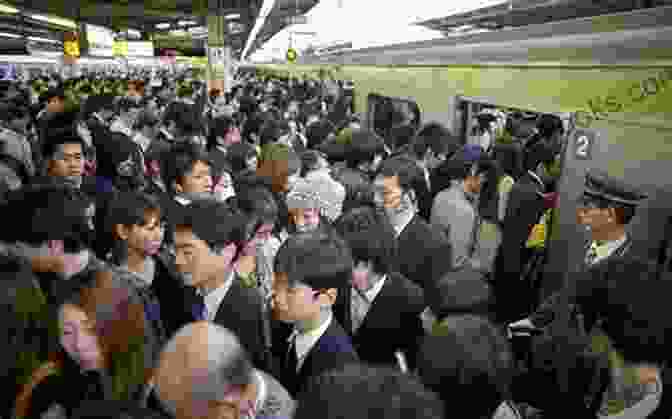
<point>206,236</point>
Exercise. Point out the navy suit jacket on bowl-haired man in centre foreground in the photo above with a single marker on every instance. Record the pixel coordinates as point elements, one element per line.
<point>333,350</point>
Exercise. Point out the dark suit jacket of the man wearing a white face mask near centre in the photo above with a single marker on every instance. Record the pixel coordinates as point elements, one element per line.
<point>425,253</point>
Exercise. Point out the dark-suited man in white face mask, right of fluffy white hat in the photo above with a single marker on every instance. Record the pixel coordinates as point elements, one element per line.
<point>425,253</point>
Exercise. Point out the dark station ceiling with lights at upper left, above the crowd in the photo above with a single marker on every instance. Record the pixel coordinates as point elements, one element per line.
<point>144,15</point>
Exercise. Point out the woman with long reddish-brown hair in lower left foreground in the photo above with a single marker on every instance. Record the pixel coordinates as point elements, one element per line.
<point>99,356</point>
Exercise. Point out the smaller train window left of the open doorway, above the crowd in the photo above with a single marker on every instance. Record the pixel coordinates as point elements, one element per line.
<point>388,117</point>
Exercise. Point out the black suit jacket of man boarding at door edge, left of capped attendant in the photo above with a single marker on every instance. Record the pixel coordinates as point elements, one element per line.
<point>525,207</point>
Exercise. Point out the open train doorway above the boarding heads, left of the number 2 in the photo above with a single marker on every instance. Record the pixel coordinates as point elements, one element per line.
<point>479,121</point>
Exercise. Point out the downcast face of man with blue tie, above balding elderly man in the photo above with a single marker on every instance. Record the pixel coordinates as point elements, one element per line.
<point>197,263</point>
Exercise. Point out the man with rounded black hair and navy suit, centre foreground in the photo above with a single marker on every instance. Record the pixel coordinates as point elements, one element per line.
<point>310,268</point>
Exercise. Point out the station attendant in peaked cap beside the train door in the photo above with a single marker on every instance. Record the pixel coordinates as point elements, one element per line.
<point>605,208</point>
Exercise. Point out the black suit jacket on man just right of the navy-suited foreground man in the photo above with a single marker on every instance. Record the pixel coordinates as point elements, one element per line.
<point>392,323</point>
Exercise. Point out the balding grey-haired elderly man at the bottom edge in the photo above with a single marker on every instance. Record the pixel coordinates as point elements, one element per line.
<point>204,373</point>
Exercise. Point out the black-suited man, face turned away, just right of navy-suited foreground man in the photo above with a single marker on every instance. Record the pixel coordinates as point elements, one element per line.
<point>383,311</point>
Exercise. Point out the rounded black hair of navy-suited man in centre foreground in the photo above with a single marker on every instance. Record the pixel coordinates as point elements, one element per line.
<point>319,259</point>
